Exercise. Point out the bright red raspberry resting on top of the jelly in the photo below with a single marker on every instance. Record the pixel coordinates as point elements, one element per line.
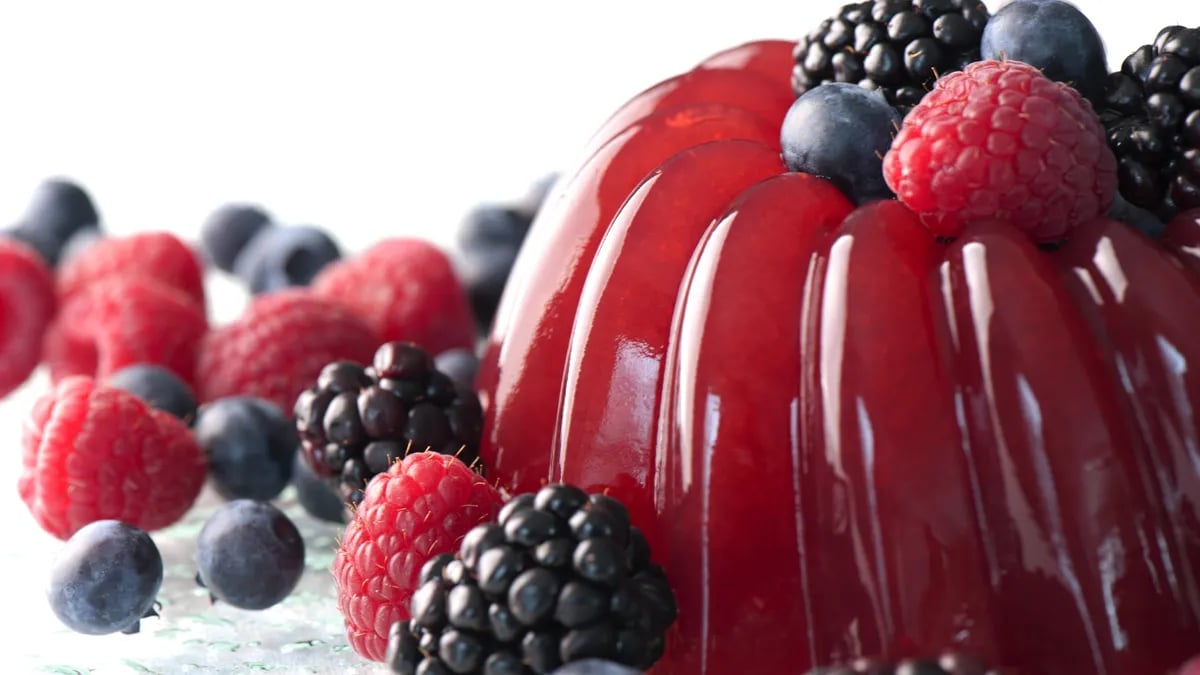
<point>1001,141</point>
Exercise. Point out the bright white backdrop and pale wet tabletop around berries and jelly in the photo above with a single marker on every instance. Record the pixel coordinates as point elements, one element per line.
<point>374,120</point>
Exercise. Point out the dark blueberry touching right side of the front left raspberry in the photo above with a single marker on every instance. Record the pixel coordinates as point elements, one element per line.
<point>250,445</point>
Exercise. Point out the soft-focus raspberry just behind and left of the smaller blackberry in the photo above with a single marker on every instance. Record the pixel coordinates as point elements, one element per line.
<point>279,348</point>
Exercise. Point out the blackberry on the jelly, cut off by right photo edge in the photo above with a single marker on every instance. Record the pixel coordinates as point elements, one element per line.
<point>1153,118</point>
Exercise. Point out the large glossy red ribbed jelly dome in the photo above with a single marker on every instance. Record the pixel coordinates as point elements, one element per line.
<point>843,435</point>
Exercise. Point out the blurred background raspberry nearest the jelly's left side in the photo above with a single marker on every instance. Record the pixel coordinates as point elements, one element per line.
<point>407,291</point>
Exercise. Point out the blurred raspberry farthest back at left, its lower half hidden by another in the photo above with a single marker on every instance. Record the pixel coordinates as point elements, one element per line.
<point>159,255</point>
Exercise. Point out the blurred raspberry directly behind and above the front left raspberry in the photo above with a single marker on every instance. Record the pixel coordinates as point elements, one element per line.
<point>125,321</point>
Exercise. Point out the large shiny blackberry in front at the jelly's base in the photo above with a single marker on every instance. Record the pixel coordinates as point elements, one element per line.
<point>562,577</point>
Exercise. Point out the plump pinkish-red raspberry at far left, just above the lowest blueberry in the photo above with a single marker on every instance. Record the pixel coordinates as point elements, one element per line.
<point>94,453</point>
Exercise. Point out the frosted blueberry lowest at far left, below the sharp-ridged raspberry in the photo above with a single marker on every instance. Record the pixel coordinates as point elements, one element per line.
<point>106,578</point>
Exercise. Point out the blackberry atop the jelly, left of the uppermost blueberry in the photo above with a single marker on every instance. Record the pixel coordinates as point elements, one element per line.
<point>899,47</point>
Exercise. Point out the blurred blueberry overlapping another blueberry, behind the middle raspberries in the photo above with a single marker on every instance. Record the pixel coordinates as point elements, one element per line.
<point>283,258</point>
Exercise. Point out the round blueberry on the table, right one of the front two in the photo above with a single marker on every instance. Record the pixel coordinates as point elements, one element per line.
<point>250,555</point>
